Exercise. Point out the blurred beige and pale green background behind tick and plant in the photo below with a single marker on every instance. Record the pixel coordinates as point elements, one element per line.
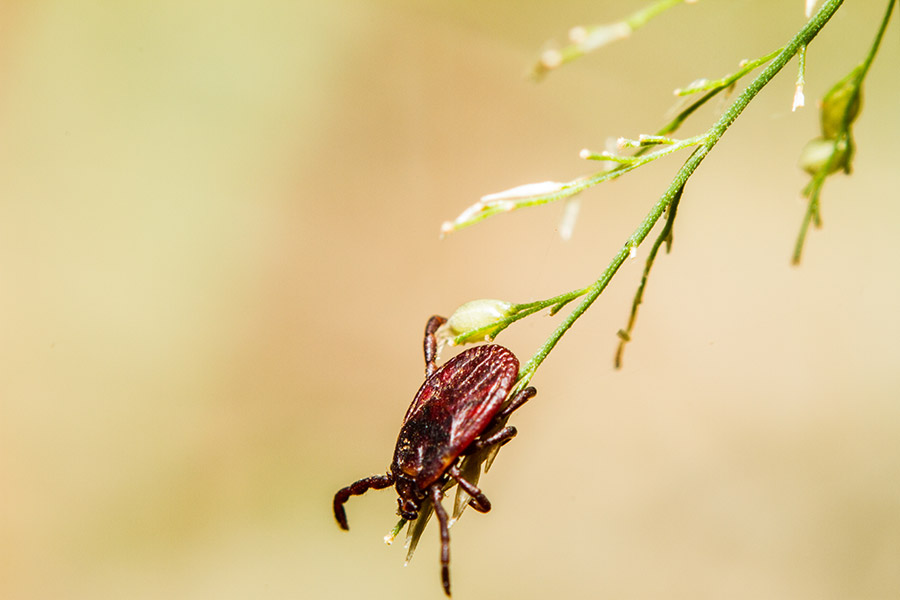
<point>219,246</point>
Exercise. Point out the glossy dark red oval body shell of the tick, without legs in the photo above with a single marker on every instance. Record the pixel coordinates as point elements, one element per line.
<point>452,408</point>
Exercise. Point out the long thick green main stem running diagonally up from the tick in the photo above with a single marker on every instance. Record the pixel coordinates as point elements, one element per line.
<point>803,37</point>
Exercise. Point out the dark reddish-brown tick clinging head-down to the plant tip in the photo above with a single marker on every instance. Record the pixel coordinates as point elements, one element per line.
<point>458,410</point>
